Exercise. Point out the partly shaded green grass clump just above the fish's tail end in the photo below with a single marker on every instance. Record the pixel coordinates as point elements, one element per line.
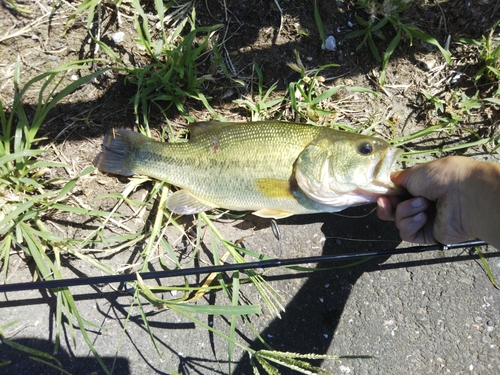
<point>173,76</point>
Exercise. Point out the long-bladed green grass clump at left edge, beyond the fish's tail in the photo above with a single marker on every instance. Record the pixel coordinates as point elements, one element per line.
<point>29,198</point>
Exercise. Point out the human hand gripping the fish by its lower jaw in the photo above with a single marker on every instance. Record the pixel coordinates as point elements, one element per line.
<point>440,210</point>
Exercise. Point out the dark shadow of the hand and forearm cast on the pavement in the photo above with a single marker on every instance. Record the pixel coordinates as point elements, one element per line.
<point>311,318</point>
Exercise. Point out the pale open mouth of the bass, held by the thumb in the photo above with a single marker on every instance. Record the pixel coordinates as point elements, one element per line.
<point>381,173</point>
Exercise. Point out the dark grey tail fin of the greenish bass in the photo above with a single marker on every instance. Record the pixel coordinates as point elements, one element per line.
<point>118,151</point>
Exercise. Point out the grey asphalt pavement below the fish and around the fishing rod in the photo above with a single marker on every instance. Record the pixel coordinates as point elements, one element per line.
<point>429,313</point>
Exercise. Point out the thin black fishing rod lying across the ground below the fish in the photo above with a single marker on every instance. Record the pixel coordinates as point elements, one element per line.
<point>270,263</point>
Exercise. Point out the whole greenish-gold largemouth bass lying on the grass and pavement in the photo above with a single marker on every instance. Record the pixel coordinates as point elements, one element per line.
<point>274,169</point>
